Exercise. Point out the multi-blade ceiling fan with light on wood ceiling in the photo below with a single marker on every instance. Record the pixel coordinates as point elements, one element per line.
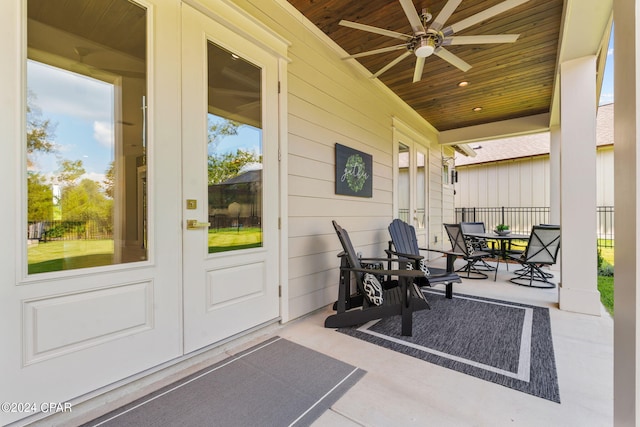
<point>428,40</point>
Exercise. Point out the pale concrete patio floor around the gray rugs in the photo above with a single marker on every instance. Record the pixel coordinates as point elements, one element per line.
<point>400,390</point>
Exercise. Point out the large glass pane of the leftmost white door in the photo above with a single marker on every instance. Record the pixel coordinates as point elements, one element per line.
<point>86,141</point>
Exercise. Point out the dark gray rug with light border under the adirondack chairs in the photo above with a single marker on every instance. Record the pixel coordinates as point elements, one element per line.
<point>503,342</point>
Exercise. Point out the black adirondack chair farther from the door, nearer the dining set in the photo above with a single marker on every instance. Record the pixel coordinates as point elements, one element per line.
<point>404,245</point>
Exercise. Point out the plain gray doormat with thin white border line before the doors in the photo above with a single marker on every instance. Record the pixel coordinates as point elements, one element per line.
<point>276,383</point>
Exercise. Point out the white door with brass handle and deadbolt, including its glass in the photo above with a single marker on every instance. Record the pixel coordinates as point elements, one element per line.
<point>230,226</point>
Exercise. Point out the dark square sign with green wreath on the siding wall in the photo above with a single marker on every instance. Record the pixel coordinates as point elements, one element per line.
<point>353,172</point>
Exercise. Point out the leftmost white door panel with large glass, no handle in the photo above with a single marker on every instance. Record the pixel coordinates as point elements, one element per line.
<point>90,291</point>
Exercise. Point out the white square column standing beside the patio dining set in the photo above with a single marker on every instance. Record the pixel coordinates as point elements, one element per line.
<point>579,286</point>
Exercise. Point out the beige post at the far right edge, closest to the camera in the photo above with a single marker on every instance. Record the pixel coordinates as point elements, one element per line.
<point>626,333</point>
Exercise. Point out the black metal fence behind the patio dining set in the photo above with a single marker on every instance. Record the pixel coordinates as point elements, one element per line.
<point>521,219</point>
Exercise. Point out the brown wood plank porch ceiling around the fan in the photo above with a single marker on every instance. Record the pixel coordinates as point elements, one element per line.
<point>507,81</point>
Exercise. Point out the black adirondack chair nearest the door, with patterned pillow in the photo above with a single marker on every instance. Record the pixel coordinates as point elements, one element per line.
<point>399,297</point>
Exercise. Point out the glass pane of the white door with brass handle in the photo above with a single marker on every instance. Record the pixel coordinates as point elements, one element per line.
<point>234,151</point>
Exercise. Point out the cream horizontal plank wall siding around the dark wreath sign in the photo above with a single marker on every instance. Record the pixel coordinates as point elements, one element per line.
<point>331,101</point>
